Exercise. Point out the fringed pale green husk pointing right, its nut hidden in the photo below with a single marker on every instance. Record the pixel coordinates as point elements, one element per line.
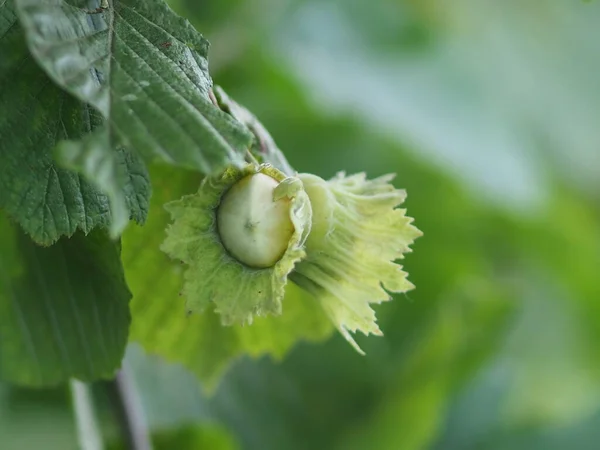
<point>357,234</point>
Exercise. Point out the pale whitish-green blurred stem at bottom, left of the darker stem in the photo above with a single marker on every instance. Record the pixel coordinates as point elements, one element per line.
<point>88,432</point>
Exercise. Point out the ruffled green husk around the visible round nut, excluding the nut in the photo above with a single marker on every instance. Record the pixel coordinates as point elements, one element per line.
<point>213,277</point>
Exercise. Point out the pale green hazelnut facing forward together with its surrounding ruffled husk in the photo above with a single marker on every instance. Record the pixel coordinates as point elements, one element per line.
<point>240,236</point>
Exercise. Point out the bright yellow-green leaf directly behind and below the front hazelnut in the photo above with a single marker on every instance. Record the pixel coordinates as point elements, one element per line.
<point>199,341</point>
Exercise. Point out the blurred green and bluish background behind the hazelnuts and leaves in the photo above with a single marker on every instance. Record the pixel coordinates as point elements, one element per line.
<point>489,113</point>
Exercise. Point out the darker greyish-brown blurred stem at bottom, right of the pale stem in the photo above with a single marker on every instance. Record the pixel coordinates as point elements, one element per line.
<point>129,411</point>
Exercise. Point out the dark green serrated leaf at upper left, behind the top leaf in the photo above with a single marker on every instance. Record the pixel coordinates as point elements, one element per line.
<point>47,200</point>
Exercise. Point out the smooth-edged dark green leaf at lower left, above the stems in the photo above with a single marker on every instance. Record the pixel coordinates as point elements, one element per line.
<point>64,309</point>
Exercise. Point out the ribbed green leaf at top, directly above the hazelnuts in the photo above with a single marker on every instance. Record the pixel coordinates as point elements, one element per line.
<point>145,69</point>
